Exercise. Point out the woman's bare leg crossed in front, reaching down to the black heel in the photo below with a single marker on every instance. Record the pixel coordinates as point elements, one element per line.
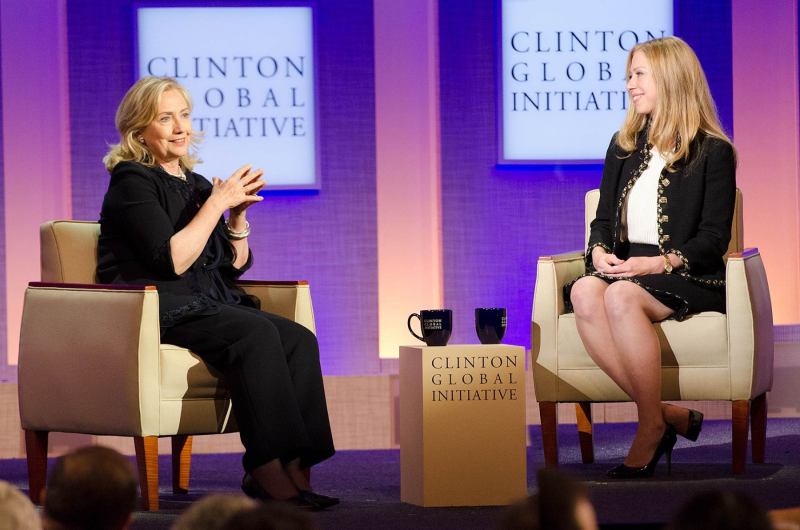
<point>631,311</point>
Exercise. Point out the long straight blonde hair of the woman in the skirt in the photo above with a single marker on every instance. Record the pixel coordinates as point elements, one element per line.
<point>684,105</point>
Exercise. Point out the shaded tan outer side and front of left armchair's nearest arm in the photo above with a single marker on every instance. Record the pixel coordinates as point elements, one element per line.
<point>95,347</point>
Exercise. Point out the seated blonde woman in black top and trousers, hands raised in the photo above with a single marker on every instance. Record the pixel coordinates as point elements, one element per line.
<point>163,225</point>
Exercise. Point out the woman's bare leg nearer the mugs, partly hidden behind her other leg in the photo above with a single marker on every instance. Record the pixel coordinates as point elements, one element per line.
<point>591,319</point>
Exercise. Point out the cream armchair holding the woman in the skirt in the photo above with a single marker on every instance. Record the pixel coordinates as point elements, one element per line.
<point>708,356</point>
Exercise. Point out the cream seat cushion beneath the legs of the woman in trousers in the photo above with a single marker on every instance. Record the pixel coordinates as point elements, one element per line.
<point>185,376</point>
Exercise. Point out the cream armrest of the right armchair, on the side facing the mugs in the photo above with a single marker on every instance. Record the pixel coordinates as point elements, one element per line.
<point>552,273</point>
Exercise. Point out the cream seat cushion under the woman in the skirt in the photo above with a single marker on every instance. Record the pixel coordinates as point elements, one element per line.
<point>679,342</point>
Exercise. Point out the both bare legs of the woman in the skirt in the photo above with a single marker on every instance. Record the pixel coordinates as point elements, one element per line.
<point>614,322</point>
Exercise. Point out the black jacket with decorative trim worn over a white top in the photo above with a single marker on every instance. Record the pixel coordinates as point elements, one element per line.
<point>695,206</point>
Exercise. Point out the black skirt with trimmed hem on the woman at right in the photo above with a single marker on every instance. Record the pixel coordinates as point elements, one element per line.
<point>677,291</point>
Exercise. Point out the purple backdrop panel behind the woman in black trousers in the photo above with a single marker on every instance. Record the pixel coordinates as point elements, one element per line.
<point>328,238</point>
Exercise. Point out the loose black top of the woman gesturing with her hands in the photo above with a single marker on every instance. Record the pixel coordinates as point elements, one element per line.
<point>142,209</point>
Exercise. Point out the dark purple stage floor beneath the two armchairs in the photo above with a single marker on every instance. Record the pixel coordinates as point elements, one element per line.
<point>369,481</point>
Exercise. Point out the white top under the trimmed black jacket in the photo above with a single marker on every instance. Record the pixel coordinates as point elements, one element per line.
<point>641,214</point>
